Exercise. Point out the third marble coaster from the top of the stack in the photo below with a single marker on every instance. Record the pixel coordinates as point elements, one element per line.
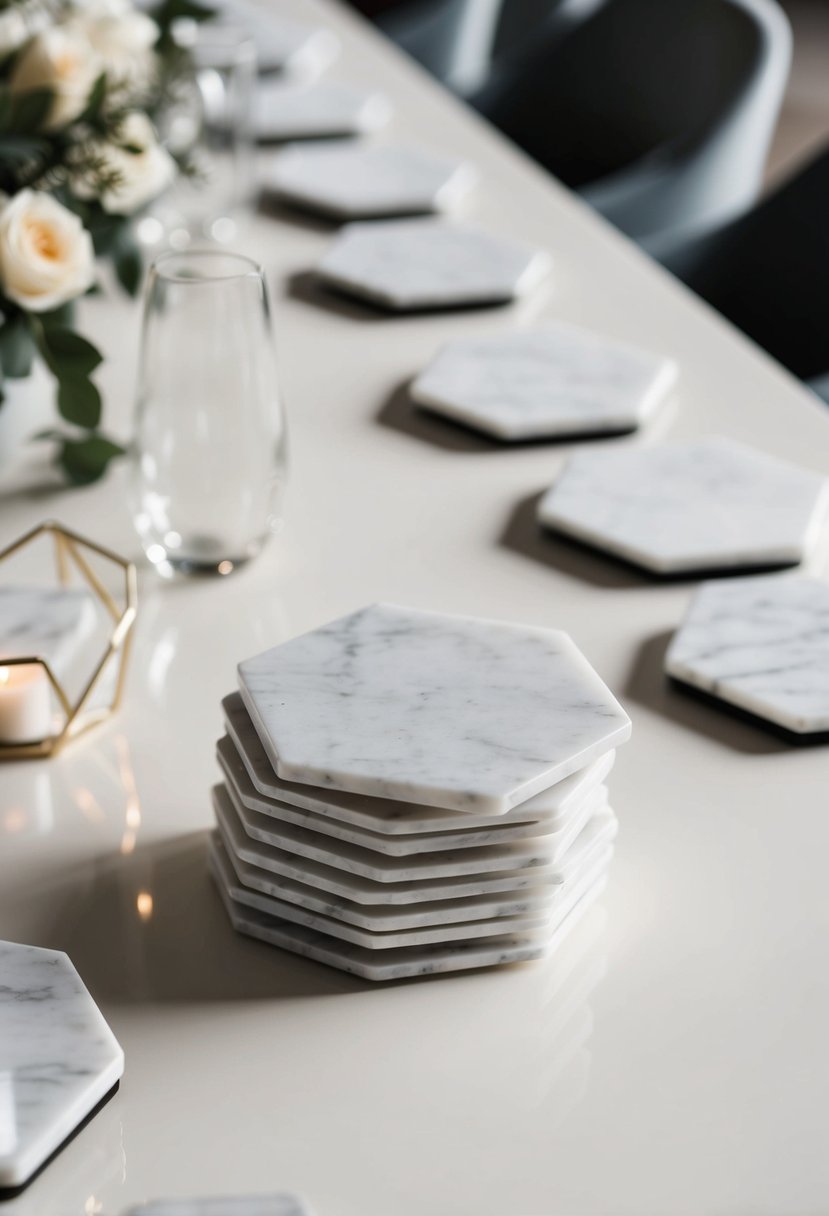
<point>503,830</point>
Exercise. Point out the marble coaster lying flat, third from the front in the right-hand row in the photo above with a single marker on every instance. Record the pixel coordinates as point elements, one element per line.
<point>545,384</point>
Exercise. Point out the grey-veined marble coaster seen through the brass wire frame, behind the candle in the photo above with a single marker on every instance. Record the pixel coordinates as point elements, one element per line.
<point>53,623</point>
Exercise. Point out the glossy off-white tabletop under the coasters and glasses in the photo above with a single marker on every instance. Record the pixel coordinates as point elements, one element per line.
<point>673,1059</point>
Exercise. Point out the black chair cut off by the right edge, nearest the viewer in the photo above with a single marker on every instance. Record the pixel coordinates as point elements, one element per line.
<point>769,273</point>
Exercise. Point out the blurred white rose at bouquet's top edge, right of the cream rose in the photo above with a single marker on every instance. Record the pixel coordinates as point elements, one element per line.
<point>122,40</point>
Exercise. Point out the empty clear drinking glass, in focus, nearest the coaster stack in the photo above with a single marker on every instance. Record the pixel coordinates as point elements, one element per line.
<point>210,455</point>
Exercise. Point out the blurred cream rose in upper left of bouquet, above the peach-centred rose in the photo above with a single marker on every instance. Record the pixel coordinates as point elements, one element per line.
<point>59,59</point>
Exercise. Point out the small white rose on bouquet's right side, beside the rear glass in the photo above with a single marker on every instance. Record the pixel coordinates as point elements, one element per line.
<point>139,177</point>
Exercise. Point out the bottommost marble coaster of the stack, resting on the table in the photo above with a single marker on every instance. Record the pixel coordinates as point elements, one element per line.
<point>405,961</point>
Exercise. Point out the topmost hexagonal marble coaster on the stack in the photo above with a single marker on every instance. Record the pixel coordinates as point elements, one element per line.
<point>453,712</point>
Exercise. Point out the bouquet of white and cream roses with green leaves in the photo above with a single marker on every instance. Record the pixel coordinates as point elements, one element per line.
<point>81,85</point>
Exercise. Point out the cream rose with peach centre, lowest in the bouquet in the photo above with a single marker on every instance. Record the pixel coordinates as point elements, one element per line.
<point>47,256</point>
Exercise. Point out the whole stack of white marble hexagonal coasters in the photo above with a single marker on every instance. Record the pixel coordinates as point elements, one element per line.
<point>408,793</point>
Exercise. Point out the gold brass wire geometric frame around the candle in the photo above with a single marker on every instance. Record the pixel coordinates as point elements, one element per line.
<point>77,719</point>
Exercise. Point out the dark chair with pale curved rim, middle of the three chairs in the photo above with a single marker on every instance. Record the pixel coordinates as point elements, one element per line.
<point>659,112</point>
